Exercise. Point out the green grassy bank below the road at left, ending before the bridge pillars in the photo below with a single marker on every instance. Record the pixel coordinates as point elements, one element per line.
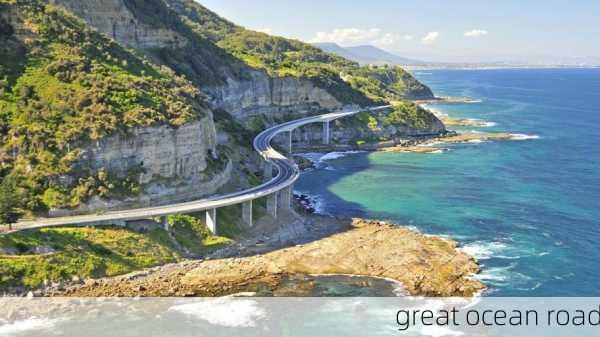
<point>57,254</point>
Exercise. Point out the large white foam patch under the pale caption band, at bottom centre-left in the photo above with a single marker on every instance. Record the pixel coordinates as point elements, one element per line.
<point>224,311</point>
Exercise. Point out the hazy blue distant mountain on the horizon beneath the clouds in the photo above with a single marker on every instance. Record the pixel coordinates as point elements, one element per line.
<point>367,54</point>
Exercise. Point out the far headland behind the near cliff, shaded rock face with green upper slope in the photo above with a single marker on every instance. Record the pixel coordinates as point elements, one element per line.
<point>255,78</point>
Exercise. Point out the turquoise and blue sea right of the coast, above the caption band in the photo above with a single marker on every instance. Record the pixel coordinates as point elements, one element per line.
<point>529,210</point>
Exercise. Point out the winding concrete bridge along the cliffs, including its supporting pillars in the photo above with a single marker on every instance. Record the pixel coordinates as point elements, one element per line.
<point>277,189</point>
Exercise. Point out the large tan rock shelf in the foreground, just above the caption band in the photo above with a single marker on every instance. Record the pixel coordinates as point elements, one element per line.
<point>425,265</point>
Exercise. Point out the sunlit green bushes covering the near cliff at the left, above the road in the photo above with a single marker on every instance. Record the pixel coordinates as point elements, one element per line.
<point>64,86</point>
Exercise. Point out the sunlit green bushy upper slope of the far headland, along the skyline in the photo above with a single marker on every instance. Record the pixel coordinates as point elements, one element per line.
<point>286,57</point>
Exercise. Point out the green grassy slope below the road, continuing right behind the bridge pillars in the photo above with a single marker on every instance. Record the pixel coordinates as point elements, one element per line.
<point>57,254</point>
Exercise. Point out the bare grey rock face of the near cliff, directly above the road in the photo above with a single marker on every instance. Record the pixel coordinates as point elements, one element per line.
<point>171,165</point>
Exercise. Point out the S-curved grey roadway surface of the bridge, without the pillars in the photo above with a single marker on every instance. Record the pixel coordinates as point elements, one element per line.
<point>287,174</point>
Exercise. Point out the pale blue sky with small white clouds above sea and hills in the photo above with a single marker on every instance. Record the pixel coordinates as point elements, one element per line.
<point>433,30</point>
